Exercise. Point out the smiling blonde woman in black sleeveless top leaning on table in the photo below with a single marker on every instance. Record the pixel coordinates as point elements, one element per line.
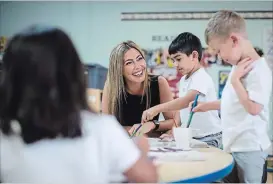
<point>129,90</point>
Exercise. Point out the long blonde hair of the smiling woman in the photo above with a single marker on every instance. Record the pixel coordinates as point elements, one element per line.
<point>115,83</point>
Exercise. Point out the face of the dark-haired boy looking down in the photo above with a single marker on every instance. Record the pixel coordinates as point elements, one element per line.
<point>183,63</point>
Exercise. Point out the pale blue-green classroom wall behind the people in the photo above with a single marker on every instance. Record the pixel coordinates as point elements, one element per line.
<point>95,27</point>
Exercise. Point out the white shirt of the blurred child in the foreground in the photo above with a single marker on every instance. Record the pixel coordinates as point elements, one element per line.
<point>104,147</point>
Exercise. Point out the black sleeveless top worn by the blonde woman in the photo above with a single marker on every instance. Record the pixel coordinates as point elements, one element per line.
<point>132,108</point>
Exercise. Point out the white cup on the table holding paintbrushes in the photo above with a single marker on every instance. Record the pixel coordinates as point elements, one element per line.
<point>182,137</point>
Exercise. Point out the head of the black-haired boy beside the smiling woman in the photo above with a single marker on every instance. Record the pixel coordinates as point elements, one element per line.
<point>186,52</point>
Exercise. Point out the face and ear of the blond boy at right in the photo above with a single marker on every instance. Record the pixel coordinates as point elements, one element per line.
<point>229,49</point>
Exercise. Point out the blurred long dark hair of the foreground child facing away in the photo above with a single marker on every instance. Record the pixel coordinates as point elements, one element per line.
<point>42,85</point>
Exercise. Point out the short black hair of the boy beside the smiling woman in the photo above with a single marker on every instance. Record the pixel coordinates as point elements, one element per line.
<point>186,43</point>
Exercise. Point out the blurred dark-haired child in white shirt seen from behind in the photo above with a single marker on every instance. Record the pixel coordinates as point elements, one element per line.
<point>48,133</point>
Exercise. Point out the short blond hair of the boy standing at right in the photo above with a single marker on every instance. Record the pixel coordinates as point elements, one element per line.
<point>224,22</point>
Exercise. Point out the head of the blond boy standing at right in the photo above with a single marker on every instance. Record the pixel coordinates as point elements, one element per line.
<point>226,33</point>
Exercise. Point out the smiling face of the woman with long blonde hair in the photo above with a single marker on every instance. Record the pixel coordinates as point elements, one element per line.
<point>134,66</point>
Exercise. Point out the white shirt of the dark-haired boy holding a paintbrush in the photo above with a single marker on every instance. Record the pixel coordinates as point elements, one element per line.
<point>204,123</point>
